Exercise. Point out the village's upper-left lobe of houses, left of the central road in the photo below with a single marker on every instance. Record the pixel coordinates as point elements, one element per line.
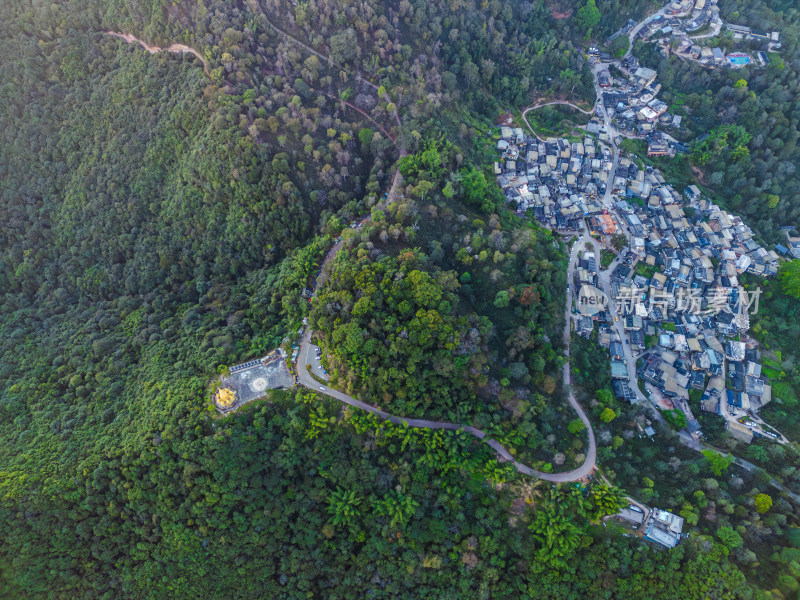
<point>559,180</point>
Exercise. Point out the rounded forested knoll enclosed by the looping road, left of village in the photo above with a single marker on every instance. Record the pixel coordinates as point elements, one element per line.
<point>435,309</point>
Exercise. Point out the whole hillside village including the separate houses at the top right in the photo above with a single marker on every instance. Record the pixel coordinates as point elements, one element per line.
<point>674,316</point>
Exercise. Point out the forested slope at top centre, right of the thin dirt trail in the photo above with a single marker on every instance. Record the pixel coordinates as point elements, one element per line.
<point>487,54</point>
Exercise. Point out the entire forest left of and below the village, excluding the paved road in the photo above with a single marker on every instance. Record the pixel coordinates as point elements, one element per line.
<point>161,223</point>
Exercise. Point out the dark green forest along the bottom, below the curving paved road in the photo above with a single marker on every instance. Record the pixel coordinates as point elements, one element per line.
<point>287,500</point>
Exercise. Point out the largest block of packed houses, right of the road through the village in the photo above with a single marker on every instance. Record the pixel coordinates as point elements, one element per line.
<point>679,285</point>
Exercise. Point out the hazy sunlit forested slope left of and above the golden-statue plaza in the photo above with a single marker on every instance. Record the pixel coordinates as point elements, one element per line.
<point>143,213</point>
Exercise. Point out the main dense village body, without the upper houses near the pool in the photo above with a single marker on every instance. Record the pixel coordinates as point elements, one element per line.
<point>681,311</point>
